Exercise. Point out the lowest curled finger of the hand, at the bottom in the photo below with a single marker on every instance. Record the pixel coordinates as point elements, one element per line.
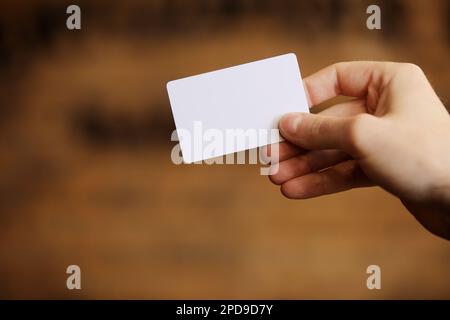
<point>341,177</point>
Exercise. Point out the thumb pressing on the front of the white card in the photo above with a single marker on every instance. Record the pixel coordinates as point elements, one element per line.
<point>312,131</point>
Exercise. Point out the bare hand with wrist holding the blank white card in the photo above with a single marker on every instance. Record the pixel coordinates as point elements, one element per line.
<point>395,133</point>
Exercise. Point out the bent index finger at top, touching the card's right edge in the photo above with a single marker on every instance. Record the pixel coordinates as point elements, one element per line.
<point>352,79</point>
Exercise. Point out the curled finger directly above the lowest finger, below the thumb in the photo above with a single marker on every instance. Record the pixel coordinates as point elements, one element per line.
<point>306,163</point>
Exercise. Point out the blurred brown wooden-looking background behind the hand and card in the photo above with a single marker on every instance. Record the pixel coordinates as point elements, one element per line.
<point>86,176</point>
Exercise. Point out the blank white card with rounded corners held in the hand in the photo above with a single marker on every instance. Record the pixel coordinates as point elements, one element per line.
<point>247,99</point>
